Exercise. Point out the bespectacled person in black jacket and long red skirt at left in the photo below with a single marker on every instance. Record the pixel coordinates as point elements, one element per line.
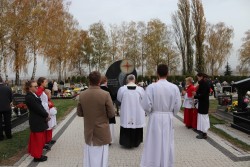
<point>38,118</point>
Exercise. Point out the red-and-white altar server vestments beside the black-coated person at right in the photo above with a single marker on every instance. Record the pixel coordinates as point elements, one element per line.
<point>188,107</point>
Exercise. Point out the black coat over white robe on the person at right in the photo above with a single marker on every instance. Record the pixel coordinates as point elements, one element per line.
<point>202,94</point>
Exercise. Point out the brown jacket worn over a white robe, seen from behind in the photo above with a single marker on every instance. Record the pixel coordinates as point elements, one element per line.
<point>96,106</point>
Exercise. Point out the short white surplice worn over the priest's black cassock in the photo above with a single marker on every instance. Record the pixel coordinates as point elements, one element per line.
<point>132,114</point>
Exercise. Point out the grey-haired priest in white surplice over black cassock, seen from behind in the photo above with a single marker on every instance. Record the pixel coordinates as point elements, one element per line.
<point>132,115</point>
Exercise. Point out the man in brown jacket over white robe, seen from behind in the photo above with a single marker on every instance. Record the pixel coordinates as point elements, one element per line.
<point>96,106</point>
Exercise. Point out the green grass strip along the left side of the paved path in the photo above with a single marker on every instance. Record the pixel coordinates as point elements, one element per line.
<point>12,150</point>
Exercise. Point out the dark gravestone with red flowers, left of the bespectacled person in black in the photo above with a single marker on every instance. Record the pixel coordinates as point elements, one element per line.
<point>19,104</point>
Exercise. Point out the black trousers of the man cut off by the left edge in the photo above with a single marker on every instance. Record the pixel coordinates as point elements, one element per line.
<point>5,124</point>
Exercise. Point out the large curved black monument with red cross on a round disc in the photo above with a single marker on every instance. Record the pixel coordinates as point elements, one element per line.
<point>117,74</point>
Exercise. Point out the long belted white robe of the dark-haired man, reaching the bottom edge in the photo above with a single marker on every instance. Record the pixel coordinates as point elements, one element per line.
<point>162,102</point>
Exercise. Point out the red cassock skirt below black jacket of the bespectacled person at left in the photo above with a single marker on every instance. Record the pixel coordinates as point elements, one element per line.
<point>36,144</point>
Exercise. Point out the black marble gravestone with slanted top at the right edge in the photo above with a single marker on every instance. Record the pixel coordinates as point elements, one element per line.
<point>241,118</point>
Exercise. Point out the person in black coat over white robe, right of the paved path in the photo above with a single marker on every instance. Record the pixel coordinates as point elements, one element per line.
<point>202,94</point>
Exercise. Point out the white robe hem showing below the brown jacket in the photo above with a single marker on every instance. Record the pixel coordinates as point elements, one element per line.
<point>96,156</point>
